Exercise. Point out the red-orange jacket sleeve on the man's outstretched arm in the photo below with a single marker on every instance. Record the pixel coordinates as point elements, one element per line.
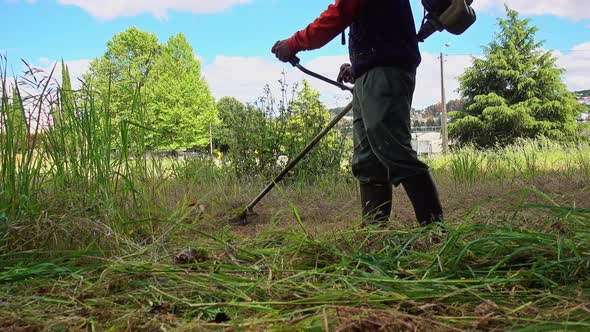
<point>330,23</point>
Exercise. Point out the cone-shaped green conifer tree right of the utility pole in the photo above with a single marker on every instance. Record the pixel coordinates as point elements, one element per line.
<point>515,91</point>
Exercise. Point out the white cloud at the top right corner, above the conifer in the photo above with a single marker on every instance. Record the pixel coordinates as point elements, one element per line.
<point>571,9</point>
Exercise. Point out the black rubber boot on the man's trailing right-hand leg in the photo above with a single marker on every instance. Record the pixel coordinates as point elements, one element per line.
<point>423,194</point>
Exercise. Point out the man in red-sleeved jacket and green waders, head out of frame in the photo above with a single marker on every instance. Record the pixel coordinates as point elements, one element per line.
<point>384,56</point>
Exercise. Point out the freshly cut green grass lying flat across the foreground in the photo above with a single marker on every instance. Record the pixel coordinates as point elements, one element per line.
<point>476,277</point>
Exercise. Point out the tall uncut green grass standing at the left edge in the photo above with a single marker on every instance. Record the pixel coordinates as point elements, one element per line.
<point>78,177</point>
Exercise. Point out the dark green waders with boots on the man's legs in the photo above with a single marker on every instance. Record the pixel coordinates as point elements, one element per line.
<point>383,153</point>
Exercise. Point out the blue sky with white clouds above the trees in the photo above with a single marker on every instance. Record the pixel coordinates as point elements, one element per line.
<point>233,38</point>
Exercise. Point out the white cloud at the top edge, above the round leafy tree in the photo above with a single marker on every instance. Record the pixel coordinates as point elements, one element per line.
<point>109,9</point>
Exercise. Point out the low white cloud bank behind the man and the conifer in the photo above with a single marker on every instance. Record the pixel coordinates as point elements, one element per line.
<point>245,78</point>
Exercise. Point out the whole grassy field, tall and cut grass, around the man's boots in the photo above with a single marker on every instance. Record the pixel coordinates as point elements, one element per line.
<point>91,240</point>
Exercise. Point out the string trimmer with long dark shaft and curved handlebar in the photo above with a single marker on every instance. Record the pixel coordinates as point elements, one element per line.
<point>242,218</point>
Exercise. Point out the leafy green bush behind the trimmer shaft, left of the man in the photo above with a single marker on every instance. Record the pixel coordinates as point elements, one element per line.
<point>256,135</point>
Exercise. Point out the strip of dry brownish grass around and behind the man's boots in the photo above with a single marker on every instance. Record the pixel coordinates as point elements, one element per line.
<point>339,210</point>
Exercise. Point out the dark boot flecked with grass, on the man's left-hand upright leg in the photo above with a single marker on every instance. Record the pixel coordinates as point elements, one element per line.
<point>376,203</point>
